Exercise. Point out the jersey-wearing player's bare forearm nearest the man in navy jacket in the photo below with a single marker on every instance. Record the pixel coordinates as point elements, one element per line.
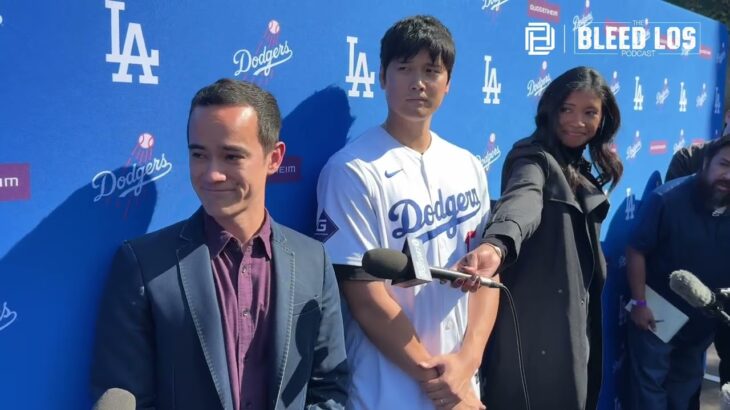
<point>387,326</point>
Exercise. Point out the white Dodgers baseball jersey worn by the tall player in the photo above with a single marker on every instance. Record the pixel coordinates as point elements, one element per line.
<point>374,193</point>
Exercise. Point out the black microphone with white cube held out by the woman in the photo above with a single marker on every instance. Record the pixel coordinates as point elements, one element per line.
<point>406,271</point>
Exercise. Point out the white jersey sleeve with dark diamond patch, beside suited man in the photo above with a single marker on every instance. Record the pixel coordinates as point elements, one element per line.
<point>347,221</point>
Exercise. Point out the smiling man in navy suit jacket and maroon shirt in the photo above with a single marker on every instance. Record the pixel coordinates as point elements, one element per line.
<point>228,309</point>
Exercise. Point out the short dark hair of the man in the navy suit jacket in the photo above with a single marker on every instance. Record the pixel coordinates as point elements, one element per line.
<point>227,92</point>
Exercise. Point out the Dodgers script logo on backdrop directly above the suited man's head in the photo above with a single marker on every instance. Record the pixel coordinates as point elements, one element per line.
<point>256,66</point>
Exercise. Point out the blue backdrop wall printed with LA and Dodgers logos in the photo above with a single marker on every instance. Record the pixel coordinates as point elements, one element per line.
<point>95,97</point>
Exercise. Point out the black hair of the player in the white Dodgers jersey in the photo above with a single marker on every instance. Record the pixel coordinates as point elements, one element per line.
<point>409,36</point>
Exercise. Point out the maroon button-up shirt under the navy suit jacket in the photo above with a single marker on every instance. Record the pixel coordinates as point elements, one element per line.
<point>245,288</point>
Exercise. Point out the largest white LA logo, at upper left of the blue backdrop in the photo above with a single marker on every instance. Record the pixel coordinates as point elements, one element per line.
<point>133,39</point>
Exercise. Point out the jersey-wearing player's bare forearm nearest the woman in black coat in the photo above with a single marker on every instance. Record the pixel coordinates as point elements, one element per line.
<point>483,306</point>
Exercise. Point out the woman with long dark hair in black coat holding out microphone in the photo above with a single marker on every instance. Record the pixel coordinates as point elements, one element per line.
<point>544,240</point>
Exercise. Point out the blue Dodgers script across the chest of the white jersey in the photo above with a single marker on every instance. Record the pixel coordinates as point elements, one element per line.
<point>444,215</point>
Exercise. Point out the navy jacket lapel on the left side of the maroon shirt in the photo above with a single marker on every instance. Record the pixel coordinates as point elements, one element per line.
<point>197,279</point>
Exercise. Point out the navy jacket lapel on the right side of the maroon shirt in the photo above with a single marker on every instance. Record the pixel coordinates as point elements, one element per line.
<point>284,278</point>
